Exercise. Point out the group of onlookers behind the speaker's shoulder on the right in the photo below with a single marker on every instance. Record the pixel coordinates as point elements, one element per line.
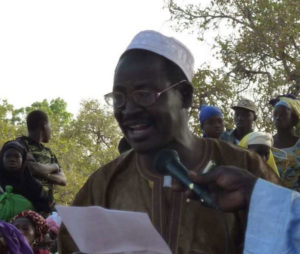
<point>281,151</point>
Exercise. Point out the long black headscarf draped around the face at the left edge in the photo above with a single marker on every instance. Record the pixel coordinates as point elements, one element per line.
<point>23,182</point>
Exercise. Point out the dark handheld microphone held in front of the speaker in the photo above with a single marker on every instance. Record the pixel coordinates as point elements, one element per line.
<point>167,162</point>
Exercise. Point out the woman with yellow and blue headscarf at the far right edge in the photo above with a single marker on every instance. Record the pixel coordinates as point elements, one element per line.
<point>286,117</point>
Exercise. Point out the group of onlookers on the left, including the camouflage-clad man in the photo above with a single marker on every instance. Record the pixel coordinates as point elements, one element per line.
<point>28,173</point>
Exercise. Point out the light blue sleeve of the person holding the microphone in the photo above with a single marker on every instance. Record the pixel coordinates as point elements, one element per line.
<point>273,220</point>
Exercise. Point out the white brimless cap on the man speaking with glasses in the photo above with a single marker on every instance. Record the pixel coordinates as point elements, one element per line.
<point>167,47</point>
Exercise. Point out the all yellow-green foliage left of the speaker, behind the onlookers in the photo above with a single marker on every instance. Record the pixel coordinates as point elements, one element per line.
<point>81,144</point>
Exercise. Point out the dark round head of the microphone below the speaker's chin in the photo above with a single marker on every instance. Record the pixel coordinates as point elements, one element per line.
<point>164,157</point>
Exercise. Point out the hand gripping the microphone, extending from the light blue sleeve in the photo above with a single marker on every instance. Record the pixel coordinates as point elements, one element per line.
<point>231,187</point>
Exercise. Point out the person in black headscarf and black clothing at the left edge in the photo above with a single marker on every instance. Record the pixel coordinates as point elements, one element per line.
<point>13,172</point>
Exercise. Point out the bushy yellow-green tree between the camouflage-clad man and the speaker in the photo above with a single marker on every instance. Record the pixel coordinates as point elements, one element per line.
<point>92,141</point>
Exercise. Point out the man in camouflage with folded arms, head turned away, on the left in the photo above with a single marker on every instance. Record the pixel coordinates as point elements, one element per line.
<point>41,160</point>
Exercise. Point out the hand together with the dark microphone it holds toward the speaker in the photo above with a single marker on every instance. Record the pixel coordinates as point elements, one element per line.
<point>227,186</point>
